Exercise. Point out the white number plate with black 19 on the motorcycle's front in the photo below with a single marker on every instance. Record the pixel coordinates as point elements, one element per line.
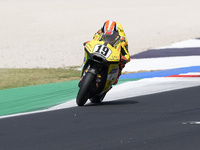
<point>103,50</point>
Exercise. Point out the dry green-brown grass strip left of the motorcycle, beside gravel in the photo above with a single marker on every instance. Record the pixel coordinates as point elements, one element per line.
<point>13,78</point>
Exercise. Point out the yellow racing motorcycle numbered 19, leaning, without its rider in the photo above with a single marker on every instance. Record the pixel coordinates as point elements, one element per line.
<point>99,72</point>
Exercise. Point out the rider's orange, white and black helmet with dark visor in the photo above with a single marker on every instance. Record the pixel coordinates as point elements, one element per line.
<point>110,32</point>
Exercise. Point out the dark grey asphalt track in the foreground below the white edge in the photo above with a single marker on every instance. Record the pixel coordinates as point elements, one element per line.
<point>162,121</point>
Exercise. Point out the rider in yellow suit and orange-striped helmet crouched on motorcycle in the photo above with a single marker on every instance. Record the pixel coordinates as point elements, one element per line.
<point>113,32</point>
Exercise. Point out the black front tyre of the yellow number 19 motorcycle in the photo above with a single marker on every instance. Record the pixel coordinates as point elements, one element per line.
<point>84,90</point>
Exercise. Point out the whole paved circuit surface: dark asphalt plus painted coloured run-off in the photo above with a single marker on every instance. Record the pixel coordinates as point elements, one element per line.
<point>157,108</point>
